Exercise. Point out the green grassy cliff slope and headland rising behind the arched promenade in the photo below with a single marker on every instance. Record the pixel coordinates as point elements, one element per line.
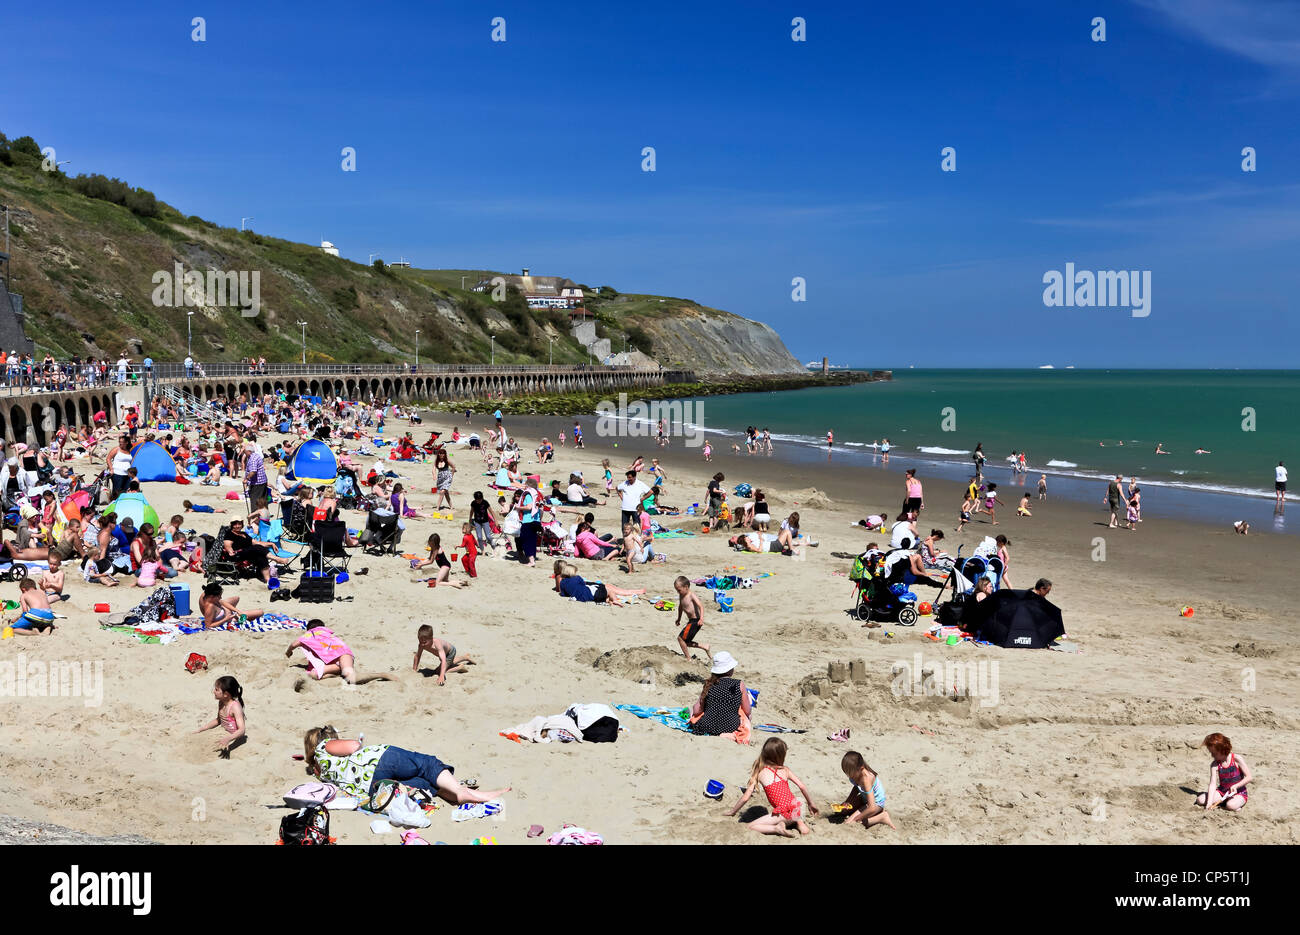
<point>86,252</point>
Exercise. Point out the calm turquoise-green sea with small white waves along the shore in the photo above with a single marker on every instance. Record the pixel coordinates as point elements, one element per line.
<point>1080,427</point>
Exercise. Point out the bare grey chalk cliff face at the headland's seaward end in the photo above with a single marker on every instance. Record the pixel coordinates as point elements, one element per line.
<point>714,343</point>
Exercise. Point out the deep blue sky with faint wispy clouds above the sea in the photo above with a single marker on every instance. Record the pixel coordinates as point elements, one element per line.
<point>774,159</point>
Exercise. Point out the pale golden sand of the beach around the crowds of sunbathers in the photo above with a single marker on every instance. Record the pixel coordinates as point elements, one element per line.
<point>1098,747</point>
